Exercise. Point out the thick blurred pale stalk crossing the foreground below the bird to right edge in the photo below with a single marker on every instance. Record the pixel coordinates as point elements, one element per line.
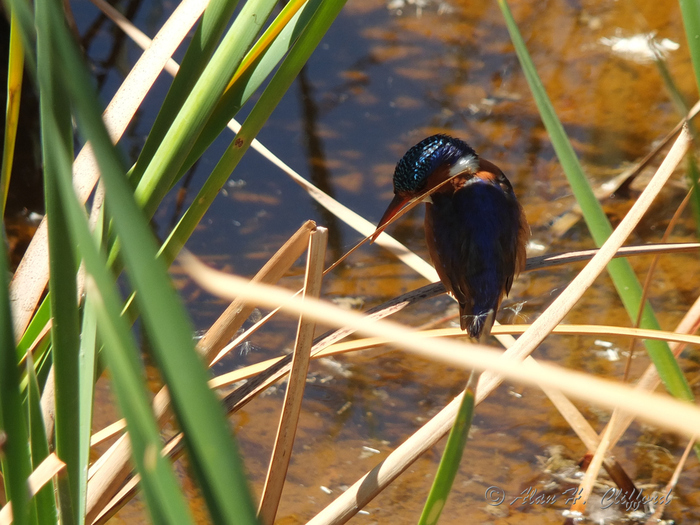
<point>661,410</point>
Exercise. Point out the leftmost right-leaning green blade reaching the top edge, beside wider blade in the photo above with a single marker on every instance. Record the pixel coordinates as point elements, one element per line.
<point>199,52</point>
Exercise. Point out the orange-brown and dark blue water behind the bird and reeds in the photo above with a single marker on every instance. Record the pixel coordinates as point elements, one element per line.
<point>382,79</point>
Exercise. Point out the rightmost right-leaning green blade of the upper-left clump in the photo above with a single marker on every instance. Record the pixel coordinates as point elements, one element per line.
<point>283,78</point>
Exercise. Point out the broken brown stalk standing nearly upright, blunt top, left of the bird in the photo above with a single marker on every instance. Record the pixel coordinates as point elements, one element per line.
<point>286,431</point>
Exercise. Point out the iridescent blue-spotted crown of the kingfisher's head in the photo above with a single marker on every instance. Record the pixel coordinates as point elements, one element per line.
<point>415,167</point>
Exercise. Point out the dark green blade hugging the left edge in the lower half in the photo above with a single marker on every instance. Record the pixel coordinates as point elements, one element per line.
<point>15,458</point>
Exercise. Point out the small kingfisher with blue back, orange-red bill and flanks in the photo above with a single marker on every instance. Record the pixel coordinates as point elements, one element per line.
<point>475,228</point>
